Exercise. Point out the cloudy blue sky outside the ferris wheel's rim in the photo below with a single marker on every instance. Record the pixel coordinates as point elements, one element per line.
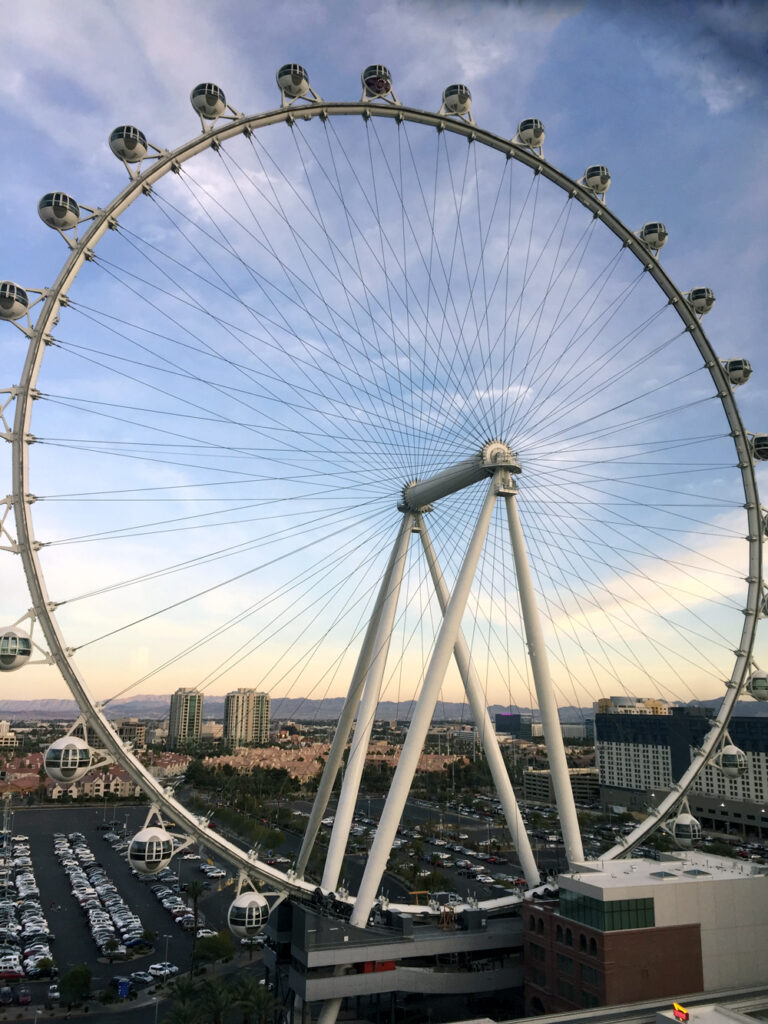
<point>671,98</point>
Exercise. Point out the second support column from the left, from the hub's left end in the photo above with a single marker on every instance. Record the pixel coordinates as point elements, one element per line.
<point>366,714</point>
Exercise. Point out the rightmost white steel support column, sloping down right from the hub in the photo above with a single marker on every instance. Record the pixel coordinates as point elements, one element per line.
<point>544,689</point>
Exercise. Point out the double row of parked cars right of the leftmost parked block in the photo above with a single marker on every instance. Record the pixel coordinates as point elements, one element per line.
<point>114,926</point>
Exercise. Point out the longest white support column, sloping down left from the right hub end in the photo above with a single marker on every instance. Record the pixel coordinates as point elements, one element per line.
<point>417,734</point>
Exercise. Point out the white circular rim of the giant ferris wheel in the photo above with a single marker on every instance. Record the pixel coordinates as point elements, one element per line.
<point>55,297</point>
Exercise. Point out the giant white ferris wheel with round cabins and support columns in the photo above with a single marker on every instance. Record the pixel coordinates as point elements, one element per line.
<point>354,398</point>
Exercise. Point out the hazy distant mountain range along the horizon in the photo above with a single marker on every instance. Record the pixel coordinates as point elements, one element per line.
<point>300,709</point>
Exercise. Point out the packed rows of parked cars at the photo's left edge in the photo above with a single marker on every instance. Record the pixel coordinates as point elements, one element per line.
<point>25,935</point>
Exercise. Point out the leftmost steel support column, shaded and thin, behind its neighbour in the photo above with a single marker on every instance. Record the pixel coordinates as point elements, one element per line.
<point>342,737</point>
